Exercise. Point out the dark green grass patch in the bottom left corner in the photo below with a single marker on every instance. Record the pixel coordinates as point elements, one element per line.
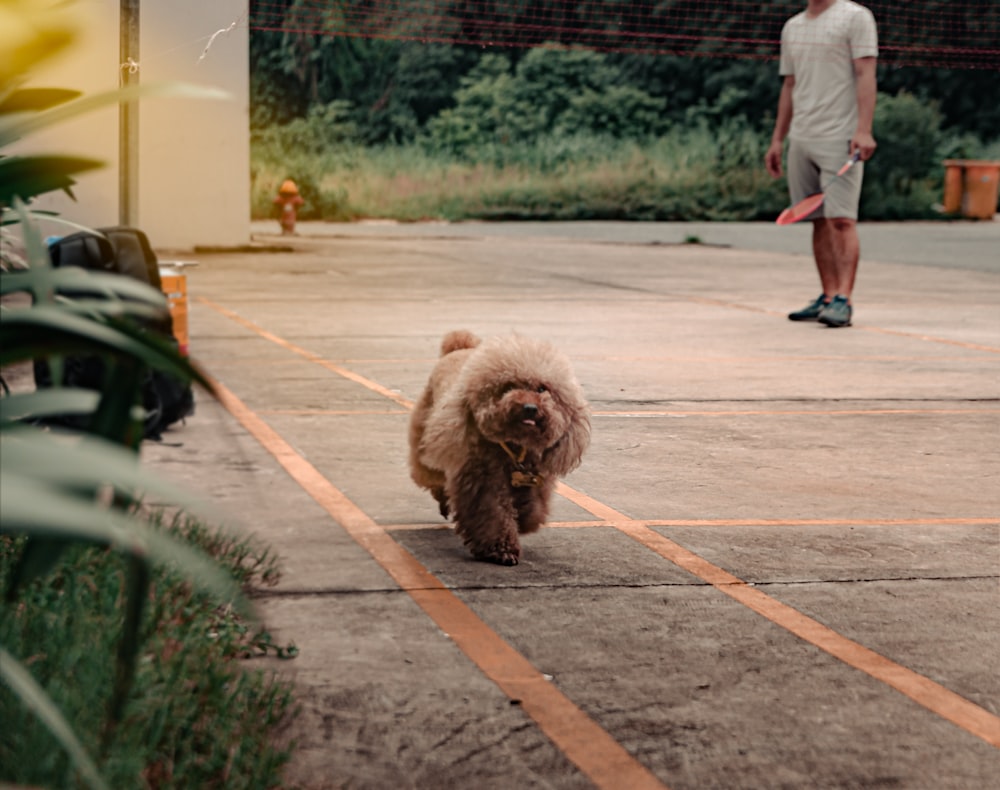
<point>197,716</point>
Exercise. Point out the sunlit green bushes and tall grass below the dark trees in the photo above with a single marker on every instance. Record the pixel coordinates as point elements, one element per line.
<point>564,134</point>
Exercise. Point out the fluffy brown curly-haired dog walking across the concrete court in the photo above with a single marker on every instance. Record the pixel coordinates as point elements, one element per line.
<point>497,424</point>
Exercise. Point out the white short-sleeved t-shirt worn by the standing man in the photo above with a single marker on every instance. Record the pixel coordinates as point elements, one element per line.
<point>820,52</point>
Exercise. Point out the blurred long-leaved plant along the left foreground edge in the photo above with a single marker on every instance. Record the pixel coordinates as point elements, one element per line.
<point>65,488</point>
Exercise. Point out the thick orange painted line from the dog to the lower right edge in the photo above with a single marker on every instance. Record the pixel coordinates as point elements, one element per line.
<point>924,691</point>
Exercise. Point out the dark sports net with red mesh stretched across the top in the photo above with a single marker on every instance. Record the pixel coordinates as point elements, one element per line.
<point>951,34</point>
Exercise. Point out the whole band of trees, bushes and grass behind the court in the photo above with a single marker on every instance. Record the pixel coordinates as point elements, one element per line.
<point>378,123</point>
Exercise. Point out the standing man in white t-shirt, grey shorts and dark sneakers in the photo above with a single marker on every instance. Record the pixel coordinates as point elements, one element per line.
<point>828,55</point>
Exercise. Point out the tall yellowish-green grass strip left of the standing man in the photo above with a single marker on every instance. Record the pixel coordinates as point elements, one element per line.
<point>688,174</point>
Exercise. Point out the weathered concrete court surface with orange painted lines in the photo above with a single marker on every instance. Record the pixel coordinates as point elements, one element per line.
<point>777,567</point>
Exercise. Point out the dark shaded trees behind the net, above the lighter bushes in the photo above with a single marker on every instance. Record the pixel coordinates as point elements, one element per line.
<point>394,87</point>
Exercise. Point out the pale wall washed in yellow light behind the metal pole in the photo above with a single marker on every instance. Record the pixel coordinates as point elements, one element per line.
<point>194,181</point>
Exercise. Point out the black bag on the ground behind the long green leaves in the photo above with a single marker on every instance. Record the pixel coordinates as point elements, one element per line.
<point>126,251</point>
